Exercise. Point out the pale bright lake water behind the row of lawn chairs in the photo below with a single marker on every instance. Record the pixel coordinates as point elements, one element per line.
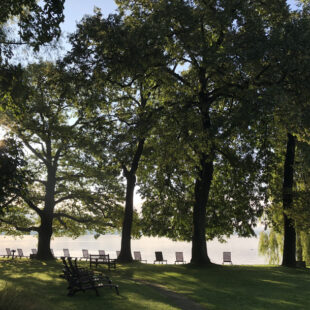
<point>244,251</point>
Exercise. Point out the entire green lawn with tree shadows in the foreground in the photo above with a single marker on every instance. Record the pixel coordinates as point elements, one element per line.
<point>37,286</point>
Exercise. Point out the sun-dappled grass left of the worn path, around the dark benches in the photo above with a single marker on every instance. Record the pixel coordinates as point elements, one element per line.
<point>41,281</point>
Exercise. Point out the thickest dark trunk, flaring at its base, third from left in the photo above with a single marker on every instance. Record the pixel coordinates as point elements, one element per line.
<point>202,188</point>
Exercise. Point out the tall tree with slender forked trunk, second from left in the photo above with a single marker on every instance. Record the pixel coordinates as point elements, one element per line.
<point>118,57</point>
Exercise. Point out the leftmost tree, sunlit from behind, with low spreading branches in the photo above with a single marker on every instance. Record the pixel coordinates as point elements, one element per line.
<point>72,192</point>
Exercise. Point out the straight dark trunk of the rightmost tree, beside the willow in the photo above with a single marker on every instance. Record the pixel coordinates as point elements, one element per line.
<point>289,248</point>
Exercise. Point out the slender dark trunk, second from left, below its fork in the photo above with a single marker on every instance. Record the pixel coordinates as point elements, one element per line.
<point>125,253</point>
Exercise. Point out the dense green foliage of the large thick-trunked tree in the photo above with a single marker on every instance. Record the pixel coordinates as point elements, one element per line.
<point>218,59</point>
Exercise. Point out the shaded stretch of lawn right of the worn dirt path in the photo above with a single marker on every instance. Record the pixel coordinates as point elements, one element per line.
<point>234,287</point>
